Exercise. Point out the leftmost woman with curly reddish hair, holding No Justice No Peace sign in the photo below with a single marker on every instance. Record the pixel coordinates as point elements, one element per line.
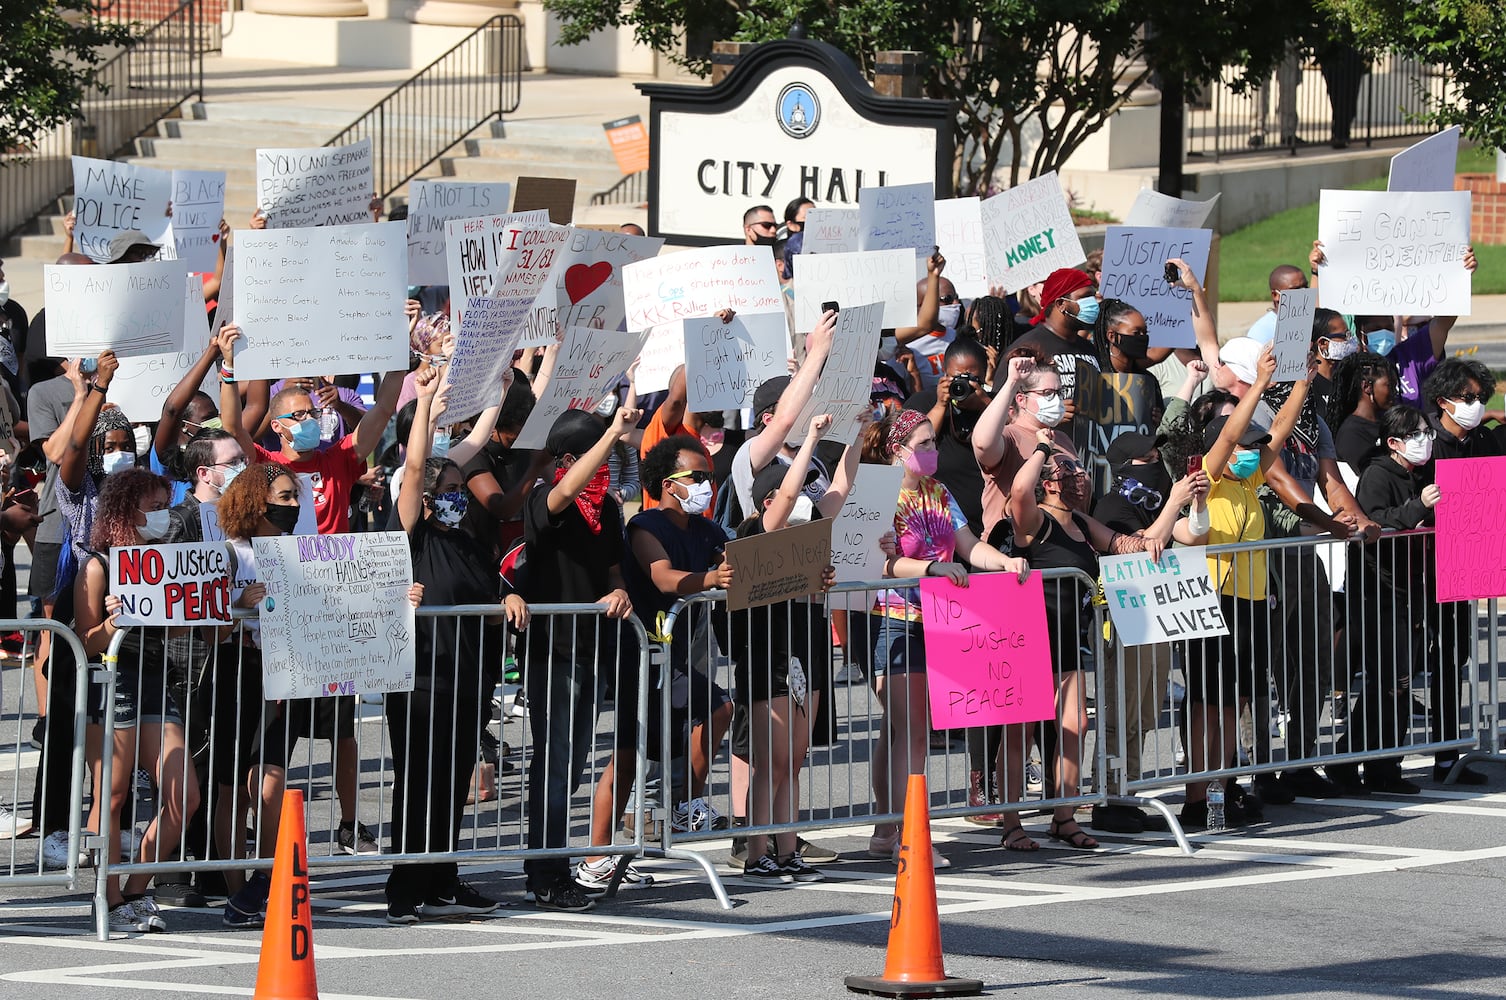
<point>145,725</point>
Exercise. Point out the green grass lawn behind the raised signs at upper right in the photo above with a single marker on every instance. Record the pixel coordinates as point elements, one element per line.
<point>1248,257</point>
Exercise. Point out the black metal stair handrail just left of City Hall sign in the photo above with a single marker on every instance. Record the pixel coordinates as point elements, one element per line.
<point>421,120</point>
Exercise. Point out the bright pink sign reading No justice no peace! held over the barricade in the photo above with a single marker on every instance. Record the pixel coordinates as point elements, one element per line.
<point>989,654</point>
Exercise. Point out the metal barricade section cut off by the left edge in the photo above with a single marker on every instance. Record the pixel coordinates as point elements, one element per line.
<point>41,787</point>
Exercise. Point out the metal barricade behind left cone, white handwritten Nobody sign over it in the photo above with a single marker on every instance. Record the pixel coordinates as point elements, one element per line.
<point>329,748</point>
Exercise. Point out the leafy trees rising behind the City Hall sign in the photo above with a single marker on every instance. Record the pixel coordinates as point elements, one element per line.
<point>1031,81</point>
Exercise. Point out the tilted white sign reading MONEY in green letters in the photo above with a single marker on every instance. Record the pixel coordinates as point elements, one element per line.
<point>1029,233</point>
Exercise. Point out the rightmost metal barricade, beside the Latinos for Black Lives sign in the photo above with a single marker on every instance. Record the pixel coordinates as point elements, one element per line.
<point>1350,665</point>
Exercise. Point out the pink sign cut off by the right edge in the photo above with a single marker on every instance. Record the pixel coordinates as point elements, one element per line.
<point>1472,529</point>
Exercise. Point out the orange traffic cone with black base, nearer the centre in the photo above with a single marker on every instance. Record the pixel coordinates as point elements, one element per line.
<point>913,968</point>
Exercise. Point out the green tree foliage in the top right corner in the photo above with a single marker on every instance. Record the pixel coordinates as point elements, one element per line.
<point>1466,38</point>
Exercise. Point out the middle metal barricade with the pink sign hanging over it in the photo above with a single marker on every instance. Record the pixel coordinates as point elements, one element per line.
<point>722,660</point>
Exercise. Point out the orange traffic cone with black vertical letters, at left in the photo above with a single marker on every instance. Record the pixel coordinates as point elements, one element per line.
<point>287,966</point>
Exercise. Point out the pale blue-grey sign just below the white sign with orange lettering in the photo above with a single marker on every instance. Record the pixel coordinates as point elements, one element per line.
<point>727,362</point>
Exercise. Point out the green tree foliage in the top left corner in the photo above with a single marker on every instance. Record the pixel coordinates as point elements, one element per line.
<point>50,53</point>
